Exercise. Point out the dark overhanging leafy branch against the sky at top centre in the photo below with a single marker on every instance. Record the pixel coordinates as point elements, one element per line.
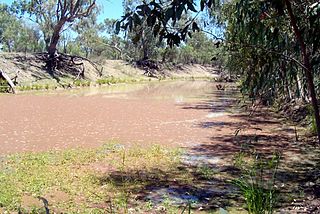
<point>161,17</point>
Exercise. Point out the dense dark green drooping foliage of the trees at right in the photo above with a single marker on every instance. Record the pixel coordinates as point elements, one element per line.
<point>264,51</point>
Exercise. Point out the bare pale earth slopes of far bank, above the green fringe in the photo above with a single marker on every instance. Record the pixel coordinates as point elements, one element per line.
<point>30,70</point>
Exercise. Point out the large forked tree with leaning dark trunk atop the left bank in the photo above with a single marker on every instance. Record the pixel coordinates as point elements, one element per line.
<point>54,16</point>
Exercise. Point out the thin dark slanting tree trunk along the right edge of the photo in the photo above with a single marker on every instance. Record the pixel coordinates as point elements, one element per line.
<point>307,65</point>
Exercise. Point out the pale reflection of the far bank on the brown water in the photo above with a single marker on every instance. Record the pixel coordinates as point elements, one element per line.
<point>178,91</point>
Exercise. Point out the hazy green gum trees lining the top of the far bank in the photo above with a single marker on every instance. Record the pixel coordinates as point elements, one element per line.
<point>55,25</point>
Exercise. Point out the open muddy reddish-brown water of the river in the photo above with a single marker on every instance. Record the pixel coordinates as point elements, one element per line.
<point>171,113</point>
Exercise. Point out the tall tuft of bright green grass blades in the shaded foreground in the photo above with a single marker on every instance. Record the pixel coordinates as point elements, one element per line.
<point>257,181</point>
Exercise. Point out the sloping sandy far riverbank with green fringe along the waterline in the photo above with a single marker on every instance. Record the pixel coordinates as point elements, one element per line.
<point>29,73</point>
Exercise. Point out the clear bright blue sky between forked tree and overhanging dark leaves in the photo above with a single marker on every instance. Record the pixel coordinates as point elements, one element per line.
<point>110,8</point>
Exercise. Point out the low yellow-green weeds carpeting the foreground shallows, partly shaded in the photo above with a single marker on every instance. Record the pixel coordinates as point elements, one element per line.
<point>109,179</point>
